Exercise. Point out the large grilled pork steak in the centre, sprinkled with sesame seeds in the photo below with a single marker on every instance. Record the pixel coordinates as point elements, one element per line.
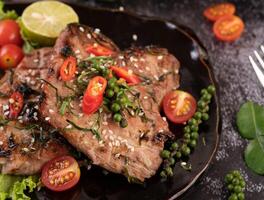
<point>135,150</point>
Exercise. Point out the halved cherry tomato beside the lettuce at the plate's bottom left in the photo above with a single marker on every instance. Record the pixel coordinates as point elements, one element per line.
<point>61,173</point>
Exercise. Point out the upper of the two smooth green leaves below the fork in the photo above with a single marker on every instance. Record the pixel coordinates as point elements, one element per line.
<point>250,120</point>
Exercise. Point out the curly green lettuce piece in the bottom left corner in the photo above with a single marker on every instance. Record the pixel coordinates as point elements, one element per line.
<point>15,187</point>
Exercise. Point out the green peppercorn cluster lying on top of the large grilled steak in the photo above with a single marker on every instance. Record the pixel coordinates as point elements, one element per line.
<point>117,100</point>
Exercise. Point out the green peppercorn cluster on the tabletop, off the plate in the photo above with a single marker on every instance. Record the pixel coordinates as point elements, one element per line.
<point>235,185</point>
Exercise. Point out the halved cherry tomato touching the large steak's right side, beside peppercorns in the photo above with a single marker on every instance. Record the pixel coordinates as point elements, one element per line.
<point>179,106</point>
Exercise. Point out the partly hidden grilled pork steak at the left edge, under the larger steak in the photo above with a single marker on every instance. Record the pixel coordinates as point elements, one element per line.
<point>25,144</point>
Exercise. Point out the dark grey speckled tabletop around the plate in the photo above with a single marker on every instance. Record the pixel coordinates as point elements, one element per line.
<point>236,78</point>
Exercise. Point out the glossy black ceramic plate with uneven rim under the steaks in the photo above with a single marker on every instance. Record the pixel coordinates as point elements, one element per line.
<point>195,74</point>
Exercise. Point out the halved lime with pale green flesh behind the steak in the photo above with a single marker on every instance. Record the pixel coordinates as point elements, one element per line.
<point>43,21</point>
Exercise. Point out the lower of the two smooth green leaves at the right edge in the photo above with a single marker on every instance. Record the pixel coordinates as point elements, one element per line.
<point>254,155</point>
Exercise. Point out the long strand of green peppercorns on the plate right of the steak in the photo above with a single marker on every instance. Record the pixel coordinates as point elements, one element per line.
<point>184,146</point>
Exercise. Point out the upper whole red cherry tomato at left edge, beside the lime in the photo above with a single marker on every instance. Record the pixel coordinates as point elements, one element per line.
<point>10,33</point>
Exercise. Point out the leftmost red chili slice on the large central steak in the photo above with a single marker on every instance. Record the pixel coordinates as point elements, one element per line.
<point>68,69</point>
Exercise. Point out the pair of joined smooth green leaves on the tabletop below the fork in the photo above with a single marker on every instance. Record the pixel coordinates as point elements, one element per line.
<point>250,122</point>
